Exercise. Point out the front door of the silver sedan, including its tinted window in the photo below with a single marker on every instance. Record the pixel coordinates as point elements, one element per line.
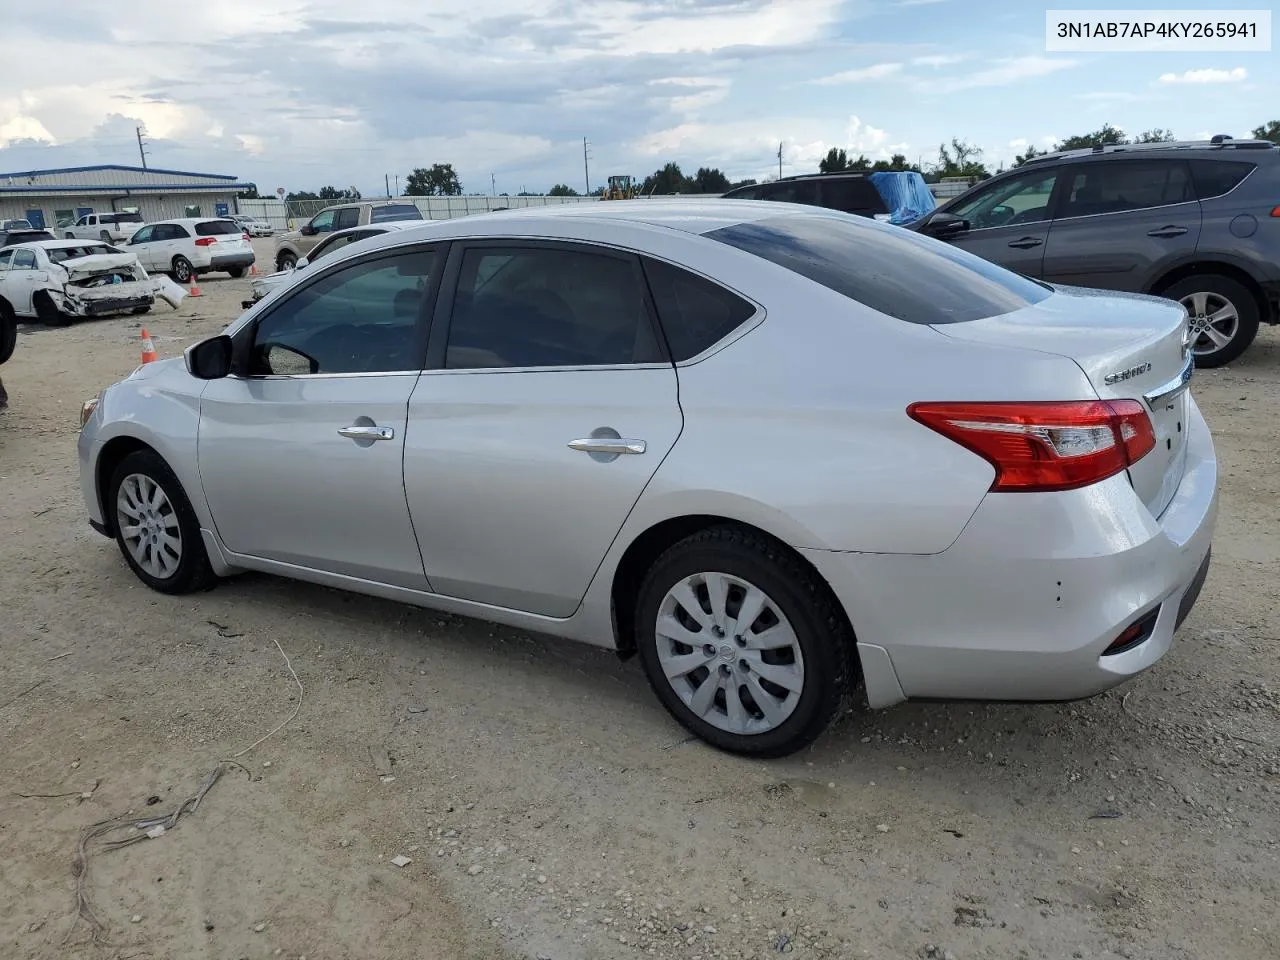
<point>301,450</point>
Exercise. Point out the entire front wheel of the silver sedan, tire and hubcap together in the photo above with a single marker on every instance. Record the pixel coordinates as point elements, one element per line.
<point>180,570</point>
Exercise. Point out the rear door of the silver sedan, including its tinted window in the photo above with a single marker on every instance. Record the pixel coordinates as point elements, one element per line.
<point>547,408</point>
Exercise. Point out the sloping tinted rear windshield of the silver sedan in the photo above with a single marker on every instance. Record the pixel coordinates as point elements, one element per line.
<point>889,269</point>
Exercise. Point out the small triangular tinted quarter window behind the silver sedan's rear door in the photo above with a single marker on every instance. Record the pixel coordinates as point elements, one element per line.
<point>696,314</point>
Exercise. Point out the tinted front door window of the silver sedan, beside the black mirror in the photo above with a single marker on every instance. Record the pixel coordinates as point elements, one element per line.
<point>360,319</point>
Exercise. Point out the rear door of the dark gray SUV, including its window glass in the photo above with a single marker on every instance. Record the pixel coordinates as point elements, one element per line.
<point>1123,223</point>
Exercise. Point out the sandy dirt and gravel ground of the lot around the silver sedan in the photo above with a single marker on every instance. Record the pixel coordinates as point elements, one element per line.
<point>550,807</point>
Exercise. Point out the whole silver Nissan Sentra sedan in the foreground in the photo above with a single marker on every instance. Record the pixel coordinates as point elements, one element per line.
<point>781,454</point>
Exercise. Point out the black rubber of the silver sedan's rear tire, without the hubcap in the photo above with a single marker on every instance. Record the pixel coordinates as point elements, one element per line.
<point>822,632</point>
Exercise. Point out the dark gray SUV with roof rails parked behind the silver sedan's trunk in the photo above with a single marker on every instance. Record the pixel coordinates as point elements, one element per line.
<point>1199,223</point>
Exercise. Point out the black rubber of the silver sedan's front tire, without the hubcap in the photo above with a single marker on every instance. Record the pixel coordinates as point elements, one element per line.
<point>193,573</point>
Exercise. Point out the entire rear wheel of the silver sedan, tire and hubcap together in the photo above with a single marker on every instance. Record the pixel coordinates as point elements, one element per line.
<point>822,661</point>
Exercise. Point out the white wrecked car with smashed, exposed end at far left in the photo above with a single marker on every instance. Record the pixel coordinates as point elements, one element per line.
<point>57,282</point>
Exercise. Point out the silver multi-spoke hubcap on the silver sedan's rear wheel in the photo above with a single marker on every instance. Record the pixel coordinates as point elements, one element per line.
<point>730,653</point>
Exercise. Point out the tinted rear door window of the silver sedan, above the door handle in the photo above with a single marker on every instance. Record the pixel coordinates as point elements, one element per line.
<point>547,307</point>
